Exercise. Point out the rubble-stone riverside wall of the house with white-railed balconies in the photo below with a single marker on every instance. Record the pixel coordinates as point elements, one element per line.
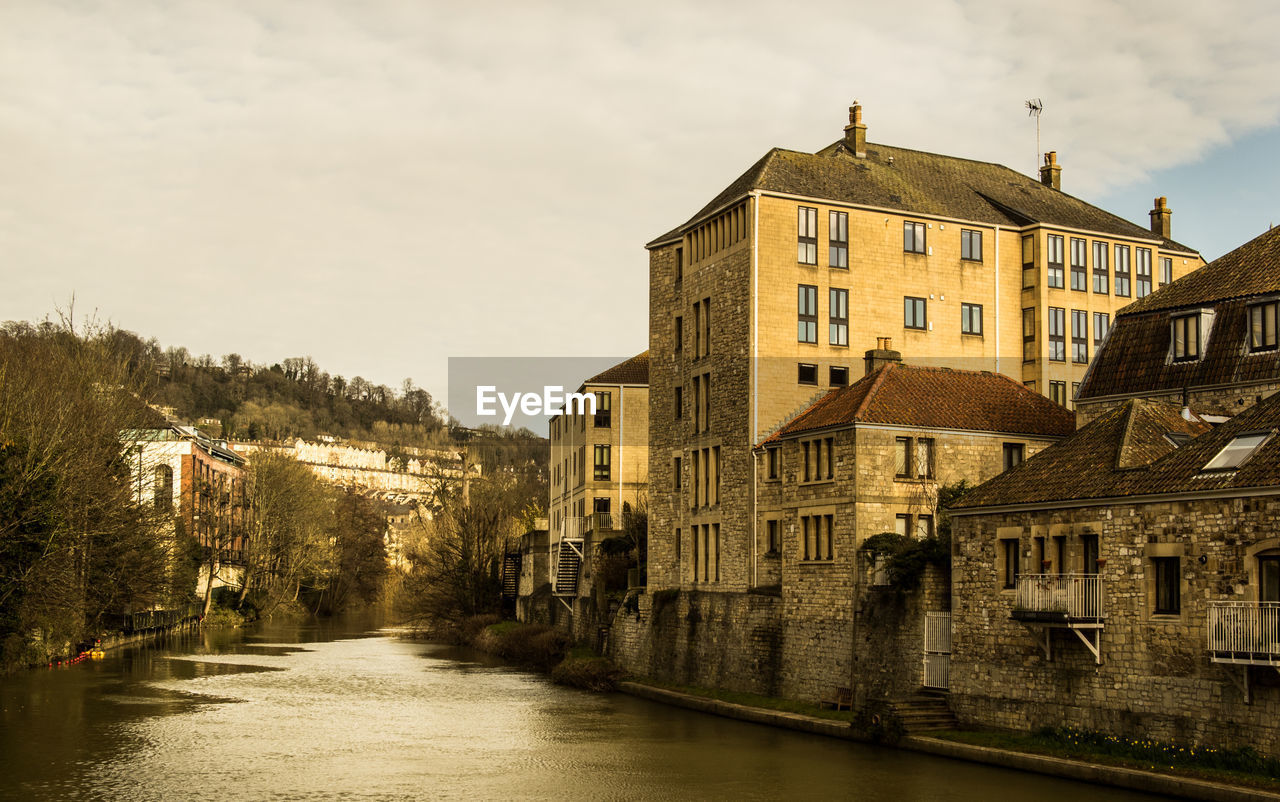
<point>1155,679</point>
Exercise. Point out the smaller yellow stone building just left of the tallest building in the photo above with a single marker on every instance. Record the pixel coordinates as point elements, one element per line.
<point>600,468</point>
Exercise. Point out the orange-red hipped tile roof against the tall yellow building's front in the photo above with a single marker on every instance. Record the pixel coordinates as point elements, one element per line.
<point>935,398</point>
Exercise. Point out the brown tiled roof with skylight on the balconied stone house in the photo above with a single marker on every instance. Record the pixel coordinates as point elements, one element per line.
<point>1126,453</point>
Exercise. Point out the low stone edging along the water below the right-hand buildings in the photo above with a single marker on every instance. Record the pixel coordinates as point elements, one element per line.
<point>1089,772</point>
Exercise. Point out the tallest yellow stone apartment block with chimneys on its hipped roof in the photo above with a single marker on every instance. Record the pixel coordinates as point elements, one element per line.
<point>760,303</point>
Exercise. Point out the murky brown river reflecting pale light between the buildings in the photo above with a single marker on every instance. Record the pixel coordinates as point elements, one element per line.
<point>341,711</point>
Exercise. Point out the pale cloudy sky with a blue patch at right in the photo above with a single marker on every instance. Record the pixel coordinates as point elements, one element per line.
<point>387,185</point>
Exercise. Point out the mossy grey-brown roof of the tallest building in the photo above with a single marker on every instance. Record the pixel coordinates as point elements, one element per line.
<point>922,184</point>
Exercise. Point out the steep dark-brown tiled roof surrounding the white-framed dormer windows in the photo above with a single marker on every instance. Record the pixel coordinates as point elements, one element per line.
<point>1135,358</point>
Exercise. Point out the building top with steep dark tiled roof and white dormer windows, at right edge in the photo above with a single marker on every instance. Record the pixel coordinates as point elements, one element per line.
<point>1209,341</point>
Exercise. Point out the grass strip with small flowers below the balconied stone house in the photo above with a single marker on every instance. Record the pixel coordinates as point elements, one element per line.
<point>1130,754</point>
